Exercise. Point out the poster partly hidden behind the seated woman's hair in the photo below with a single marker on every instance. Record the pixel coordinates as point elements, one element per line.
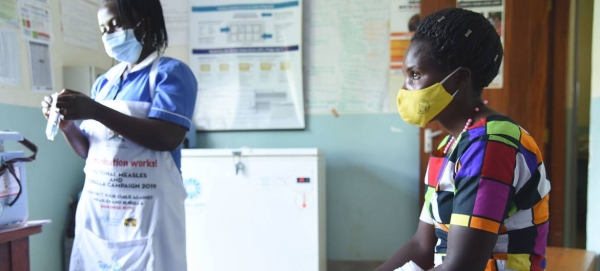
<point>494,11</point>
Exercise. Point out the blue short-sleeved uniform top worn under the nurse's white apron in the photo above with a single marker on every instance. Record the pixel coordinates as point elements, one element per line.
<point>174,94</point>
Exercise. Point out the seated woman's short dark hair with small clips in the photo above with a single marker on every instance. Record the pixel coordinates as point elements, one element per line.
<point>462,38</point>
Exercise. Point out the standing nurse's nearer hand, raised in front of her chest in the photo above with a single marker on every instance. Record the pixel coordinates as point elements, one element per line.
<point>75,105</point>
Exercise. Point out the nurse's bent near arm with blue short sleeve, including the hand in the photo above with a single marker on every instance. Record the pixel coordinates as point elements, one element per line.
<point>166,125</point>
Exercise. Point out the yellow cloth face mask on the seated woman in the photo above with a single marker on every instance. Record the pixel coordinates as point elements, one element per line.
<point>419,107</point>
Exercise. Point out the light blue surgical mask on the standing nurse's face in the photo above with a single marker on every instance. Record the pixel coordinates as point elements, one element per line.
<point>122,45</point>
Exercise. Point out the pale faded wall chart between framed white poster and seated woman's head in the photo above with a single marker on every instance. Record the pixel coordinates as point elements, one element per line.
<point>346,56</point>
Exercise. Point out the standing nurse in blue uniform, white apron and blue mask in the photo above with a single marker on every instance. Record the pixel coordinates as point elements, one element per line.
<point>131,212</point>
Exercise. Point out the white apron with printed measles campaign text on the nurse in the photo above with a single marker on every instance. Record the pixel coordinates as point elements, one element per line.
<point>131,213</point>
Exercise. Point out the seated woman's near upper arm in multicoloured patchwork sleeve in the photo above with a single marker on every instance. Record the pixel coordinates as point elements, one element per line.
<point>483,193</point>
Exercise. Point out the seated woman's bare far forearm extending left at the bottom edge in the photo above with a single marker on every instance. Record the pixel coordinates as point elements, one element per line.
<point>419,249</point>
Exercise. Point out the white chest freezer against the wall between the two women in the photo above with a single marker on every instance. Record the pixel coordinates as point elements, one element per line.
<point>255,209</point>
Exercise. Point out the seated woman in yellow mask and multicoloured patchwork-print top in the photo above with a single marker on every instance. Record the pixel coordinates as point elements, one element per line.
<point>486,201</point>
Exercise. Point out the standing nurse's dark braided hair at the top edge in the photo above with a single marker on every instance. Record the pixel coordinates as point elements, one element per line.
<point>134,11</point>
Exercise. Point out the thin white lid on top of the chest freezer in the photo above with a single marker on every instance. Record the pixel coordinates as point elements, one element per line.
<point>249,152</point>
